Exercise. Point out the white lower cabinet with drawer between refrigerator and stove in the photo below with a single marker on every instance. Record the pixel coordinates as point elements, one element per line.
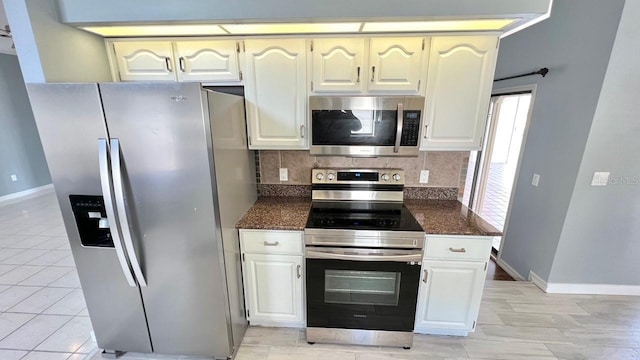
<point>273,274</point>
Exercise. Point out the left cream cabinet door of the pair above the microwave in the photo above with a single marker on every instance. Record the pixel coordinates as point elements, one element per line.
<point>338,66</point>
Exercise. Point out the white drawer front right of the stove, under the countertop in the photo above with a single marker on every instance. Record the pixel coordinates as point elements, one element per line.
<point>458,248</point>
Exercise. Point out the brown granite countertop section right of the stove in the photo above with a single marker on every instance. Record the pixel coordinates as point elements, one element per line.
<point>449,217</point>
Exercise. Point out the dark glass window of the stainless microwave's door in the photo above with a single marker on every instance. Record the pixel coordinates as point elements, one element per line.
<point>354,127</point>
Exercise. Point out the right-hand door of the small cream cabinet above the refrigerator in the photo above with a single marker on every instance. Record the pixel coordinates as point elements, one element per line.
<point>207,60</point>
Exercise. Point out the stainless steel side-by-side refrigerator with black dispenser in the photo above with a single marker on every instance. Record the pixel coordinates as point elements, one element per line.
<point>150,179</point>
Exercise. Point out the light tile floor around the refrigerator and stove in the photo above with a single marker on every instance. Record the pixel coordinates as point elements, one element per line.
<point>43,315</point>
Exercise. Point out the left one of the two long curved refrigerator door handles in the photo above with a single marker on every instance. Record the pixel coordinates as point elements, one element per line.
<point>105,182</point>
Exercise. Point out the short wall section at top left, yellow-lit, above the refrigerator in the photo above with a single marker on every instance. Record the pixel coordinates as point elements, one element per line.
<point>52,52</point>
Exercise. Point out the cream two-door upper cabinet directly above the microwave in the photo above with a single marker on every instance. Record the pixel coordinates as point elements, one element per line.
<point>362,66</point>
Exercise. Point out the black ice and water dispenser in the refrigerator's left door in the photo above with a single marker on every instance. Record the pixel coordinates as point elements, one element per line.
<point>91,219</point>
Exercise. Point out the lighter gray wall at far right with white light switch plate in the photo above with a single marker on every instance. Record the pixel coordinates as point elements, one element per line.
<point>600,240</point>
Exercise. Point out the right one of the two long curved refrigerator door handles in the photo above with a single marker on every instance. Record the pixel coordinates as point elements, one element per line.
<point>118,189</point>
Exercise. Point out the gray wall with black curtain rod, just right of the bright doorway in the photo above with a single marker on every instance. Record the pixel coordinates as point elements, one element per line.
<point>574,43</point>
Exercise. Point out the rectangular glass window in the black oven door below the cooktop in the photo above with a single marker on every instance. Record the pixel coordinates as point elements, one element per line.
<point>362,287</point>
